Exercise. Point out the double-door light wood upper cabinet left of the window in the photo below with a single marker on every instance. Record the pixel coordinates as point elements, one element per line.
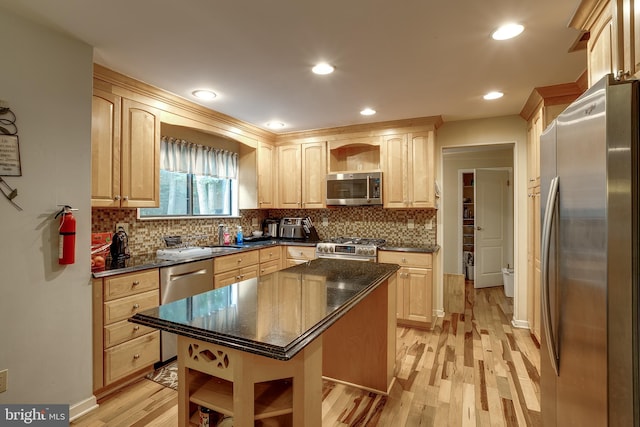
<point>125,152</point>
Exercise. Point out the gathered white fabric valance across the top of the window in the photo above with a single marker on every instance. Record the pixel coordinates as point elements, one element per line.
<point>178,155</point>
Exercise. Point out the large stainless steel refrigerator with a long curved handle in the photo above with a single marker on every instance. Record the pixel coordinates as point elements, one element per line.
<point>589,185</point>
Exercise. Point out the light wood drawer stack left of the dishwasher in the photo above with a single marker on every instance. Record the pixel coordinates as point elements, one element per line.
<point>123,351</point>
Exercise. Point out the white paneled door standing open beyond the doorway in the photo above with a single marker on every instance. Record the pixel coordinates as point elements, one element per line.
<point>491,225</point>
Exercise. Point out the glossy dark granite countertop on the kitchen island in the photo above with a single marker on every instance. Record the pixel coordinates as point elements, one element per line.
<point>275,315</point>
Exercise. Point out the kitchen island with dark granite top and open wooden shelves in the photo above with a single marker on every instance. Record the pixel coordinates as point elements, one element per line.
<point>257,349</point>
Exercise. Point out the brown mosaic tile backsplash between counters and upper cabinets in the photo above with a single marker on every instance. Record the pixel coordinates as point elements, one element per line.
<point>145,236</point>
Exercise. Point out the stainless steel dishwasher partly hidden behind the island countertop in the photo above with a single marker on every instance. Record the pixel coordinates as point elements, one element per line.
<point>178,282</point>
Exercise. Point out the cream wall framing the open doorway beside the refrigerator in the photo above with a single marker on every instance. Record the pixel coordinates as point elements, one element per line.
<point>498,130</point>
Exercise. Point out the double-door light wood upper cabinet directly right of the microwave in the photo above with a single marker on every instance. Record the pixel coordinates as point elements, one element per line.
<point>408,172</point>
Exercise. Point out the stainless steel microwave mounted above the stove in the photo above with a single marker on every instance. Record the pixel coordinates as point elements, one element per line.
<point>354,189</point>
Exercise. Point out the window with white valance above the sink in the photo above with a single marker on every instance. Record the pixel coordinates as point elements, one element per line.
<point>203,189</point>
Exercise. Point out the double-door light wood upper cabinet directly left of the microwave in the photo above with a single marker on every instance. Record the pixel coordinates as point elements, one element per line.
<point>302,170</point>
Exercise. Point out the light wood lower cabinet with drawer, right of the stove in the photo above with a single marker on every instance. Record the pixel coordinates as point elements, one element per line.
<point>415,286</point>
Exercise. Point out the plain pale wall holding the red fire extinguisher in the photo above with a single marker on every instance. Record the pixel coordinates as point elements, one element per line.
<point>45,308</point>
